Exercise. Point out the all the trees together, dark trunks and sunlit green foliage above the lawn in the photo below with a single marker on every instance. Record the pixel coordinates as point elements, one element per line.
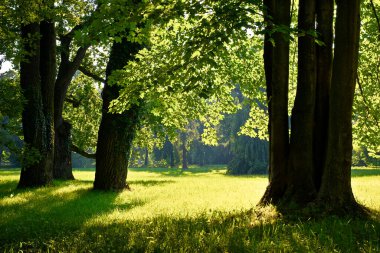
<point>286,85</point>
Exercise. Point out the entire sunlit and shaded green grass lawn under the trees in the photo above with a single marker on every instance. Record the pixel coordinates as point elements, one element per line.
<point>201,210</point>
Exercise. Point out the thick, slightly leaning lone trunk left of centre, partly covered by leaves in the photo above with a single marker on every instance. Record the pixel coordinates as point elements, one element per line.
<point>116,131</point>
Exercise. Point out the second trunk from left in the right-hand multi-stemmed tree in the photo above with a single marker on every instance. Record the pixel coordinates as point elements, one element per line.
<point>301,187</point>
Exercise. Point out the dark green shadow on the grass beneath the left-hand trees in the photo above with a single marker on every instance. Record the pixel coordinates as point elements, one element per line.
<point>29,214</point>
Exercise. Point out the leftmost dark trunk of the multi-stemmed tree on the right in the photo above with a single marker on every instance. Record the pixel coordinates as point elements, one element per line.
<point>278,117</point>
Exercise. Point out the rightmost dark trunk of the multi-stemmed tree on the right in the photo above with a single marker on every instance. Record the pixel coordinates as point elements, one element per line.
<point>336,192</point>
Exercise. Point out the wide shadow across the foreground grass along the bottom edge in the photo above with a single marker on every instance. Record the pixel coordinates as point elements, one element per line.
<point>219,232</point>
